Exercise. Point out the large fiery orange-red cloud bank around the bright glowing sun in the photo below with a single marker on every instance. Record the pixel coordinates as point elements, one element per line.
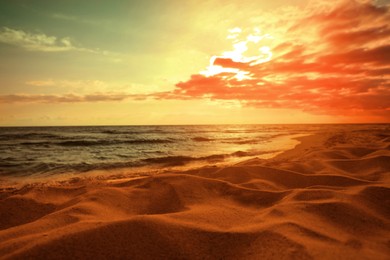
<point>328,59</point>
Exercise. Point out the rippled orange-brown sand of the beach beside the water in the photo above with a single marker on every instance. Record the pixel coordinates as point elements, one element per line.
<point>329,198</point>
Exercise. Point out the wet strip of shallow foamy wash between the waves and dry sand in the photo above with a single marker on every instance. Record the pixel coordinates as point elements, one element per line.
<point>153,168</point>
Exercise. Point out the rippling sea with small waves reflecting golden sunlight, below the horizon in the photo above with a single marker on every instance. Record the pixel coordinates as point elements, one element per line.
<point>48,151</point>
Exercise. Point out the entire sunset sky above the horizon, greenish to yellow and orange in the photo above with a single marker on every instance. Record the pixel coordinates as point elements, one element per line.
<point>152,62</point>
